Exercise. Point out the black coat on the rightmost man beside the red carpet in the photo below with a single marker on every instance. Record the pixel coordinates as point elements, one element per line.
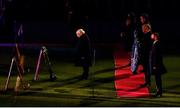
<point>156,59</point>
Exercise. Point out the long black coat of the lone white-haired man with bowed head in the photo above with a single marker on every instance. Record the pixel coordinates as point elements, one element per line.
<point>84,51</point>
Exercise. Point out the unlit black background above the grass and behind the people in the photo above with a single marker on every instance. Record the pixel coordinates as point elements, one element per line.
<point>55,21</point>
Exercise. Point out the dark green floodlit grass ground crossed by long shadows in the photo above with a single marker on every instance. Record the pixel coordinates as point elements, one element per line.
<point>68,90</point>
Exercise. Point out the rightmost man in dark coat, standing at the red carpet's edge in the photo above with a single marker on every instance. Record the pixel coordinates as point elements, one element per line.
<point>157,67</point>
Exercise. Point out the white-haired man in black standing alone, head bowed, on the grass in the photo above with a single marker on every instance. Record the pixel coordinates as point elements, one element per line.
<point>84,52</point>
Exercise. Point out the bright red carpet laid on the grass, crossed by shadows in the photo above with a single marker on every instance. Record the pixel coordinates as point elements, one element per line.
<point>127,84</point>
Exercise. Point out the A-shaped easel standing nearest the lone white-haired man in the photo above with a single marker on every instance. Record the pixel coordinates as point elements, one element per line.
<point>44,52</point>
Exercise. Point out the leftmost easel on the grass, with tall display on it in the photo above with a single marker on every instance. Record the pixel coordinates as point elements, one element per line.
<point>18,60</point>
